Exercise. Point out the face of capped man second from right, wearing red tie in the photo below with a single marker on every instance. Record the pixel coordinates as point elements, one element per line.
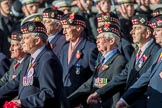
<point>138,33</point>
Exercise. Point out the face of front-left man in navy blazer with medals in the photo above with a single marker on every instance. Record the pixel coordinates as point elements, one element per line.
<point>28,43</point>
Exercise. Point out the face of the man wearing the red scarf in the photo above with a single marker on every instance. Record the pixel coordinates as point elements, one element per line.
<point>70,32</point>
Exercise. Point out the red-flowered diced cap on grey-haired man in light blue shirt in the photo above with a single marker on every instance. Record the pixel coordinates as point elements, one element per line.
<point>109,28</point>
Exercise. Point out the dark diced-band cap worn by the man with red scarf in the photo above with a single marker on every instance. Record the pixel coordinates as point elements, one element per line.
<point>73,19</point>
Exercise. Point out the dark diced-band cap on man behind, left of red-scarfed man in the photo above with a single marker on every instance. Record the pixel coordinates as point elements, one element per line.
<point>52,13</point>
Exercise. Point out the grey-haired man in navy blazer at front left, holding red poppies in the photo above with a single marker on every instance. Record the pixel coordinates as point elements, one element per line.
<point>40,82</point>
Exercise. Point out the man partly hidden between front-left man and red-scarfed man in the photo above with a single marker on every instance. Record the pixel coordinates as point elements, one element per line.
<point>51,20</point>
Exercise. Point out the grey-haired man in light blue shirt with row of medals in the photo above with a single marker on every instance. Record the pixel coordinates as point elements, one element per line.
<point>107,42</point>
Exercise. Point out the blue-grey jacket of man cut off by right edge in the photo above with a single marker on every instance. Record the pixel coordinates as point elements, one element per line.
<point>149,82</point>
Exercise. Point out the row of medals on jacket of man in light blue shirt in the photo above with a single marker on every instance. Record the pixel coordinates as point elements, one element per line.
<point>100,82</point>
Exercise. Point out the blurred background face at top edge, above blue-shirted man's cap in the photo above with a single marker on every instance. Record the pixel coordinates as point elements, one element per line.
<point>105,5</point>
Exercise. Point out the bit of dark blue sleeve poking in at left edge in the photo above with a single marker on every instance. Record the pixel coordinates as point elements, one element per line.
<point>4,64</point>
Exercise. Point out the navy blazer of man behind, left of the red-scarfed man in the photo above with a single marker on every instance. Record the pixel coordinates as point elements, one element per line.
<point>57,43</point>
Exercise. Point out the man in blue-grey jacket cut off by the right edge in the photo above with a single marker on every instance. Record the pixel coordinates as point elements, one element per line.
<point>149,81</point>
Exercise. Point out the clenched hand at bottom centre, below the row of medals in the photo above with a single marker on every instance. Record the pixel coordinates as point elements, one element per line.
<point>93,98</point>
